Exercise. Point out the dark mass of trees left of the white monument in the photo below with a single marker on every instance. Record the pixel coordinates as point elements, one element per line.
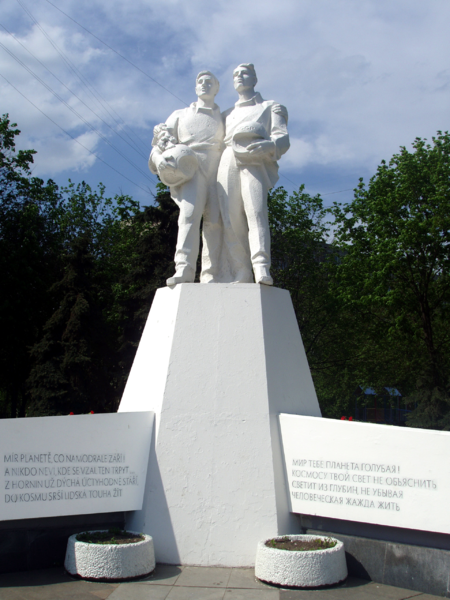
<point>79,271</point>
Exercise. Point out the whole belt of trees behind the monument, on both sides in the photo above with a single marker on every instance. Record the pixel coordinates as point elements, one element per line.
<point>80,270</point>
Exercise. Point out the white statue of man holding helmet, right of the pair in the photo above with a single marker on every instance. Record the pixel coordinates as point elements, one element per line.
<point>255,138</point>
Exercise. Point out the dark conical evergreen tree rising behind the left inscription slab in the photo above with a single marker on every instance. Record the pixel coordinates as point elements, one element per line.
<point>71,370</point>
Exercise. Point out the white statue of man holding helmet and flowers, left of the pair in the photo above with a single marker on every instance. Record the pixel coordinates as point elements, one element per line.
<point>186,154</point>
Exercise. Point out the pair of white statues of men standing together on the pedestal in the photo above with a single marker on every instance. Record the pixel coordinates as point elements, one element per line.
<point>220,167</point>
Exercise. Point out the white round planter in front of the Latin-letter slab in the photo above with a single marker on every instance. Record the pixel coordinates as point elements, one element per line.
<point>109,561</point>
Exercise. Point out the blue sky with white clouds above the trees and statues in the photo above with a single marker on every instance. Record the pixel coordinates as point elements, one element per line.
<point>360,78</point>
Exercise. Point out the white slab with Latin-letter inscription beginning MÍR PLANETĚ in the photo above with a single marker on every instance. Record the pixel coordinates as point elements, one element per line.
<point>77,464</point>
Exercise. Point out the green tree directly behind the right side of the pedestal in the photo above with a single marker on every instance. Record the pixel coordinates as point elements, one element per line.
<point>303,262</point>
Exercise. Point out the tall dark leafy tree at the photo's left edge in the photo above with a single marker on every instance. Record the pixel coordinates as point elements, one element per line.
<point>28,261</point>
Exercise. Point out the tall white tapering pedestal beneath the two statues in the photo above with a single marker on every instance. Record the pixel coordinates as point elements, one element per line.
<point>217,364</point>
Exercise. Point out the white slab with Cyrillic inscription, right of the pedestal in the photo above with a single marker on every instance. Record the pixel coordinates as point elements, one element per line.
<point>370,473</point>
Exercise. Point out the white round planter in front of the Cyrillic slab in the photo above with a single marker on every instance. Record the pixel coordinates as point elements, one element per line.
<point>308,569</point>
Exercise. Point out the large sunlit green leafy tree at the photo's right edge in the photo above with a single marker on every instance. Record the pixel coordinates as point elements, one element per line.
<point>394,276</point>
